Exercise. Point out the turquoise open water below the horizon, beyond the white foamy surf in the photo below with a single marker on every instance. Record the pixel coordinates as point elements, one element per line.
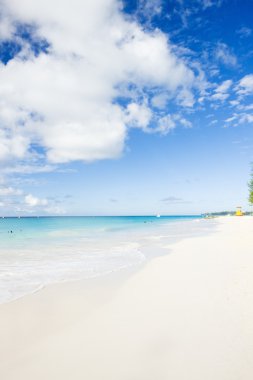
<point>26,232</point>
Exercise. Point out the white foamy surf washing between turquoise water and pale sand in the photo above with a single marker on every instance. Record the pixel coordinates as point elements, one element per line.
<point>123,251</point>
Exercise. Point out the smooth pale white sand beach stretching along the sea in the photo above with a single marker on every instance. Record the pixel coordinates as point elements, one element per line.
<point>184,316</point>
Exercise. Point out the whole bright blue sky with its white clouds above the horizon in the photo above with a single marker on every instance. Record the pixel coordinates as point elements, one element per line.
<point>125,107</point>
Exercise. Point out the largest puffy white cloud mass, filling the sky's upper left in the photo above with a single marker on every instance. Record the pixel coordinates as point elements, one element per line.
<point>65,100</point>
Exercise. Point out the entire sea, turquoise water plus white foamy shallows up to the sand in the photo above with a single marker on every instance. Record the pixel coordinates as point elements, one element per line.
<point>35,252</point>
